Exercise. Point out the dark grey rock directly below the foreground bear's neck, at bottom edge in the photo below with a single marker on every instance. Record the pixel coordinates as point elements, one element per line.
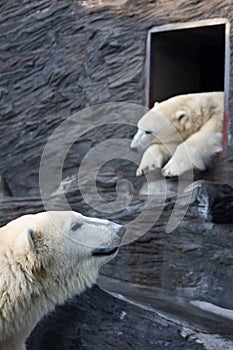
<point>98,321</point>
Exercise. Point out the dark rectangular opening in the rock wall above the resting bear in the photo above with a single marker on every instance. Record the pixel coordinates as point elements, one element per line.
<point>185,61</point>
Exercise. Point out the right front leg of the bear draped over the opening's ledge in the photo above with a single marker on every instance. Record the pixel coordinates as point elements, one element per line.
<point>196,151</point>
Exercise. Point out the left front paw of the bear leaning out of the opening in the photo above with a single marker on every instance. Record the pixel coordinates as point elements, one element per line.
<point>153,157</point>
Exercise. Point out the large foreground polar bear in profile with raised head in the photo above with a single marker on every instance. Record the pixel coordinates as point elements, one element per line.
<point>45,259</point>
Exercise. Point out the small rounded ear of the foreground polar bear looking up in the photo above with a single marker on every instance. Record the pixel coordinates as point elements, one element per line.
<point>25,242</point>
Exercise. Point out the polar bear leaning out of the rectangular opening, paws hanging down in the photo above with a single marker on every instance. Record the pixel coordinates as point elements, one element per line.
<point>187,129</point>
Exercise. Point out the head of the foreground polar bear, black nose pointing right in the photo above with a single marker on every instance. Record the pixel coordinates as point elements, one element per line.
<point>64,241</point>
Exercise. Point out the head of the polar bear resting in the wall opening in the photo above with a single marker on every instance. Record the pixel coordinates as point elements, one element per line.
<point>172,121</point>
